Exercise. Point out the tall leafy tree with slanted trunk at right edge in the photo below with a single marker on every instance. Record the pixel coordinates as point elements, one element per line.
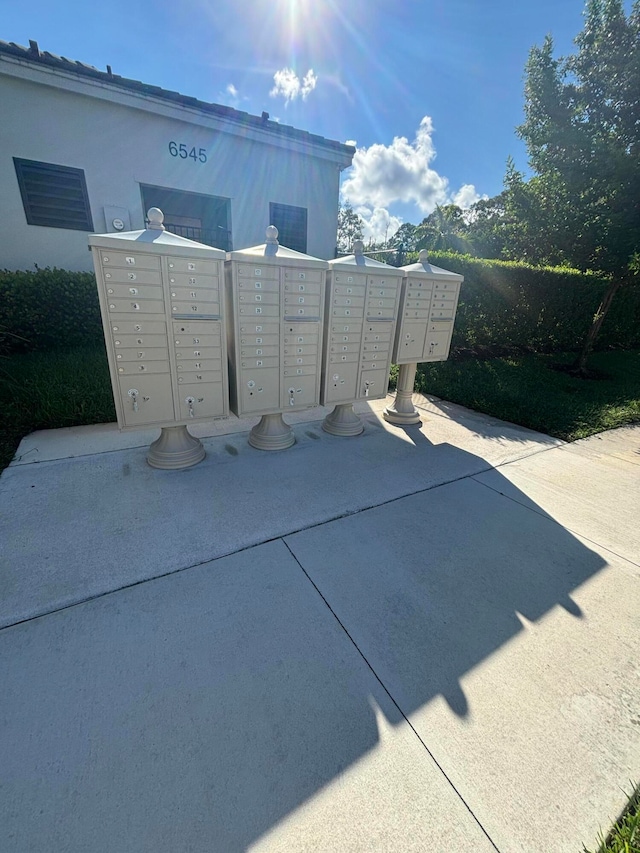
<point>582,131</point>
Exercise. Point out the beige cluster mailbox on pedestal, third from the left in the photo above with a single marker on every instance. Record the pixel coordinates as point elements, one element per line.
<point>360,319</point>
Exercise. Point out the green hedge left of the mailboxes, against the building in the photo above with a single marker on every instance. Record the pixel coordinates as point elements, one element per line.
<point>49,309</point>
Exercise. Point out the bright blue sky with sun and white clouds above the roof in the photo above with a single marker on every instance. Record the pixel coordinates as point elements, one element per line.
<point>429,91</point>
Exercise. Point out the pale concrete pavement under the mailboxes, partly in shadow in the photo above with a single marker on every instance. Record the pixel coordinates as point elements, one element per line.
<point>416,639</point>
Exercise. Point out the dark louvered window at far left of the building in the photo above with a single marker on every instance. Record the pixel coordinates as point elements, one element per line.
<point>54,195</point>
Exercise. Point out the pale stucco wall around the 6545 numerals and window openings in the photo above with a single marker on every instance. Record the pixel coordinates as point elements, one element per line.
<point>121,141</point>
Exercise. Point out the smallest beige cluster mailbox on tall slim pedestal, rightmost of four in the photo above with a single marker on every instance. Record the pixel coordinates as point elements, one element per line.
<point>425,324</point>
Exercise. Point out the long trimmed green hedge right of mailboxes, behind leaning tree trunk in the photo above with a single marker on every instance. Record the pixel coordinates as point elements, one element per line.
<point>544,309</point>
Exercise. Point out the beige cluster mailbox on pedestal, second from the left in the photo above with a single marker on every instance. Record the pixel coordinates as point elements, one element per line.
<point>275,299</point>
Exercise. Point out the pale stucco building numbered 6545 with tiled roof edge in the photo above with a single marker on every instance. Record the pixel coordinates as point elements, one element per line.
<point>84,150</point>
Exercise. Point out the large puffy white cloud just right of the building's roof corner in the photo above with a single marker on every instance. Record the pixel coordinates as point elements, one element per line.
<point>401,172</point>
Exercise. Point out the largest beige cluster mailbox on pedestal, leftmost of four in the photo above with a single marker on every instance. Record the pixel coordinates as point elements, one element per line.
<point>163,318</point>
